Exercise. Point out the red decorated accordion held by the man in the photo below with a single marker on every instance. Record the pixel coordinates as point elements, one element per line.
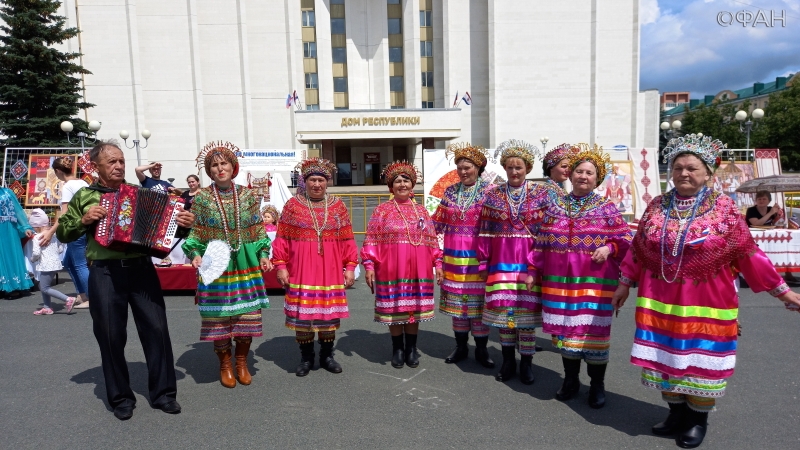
<point>139,220</point>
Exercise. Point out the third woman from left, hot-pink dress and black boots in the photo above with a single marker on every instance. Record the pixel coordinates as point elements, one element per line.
<point>399,255</point>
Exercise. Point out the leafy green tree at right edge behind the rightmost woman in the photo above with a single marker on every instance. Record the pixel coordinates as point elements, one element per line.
<point>780,127</point>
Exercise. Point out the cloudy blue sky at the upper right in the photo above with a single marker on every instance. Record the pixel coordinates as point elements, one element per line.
<point>683,48</point>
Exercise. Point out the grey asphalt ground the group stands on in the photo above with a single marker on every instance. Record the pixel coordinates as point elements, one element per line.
<point>54,396</point>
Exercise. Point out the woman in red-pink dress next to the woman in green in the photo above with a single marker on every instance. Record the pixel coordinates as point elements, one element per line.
<point>315,254</point>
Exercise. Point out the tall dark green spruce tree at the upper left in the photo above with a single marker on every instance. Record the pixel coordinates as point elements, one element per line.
<point>39,85</point>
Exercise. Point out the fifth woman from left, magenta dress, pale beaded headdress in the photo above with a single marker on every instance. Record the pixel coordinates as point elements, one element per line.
<point>509,221</point>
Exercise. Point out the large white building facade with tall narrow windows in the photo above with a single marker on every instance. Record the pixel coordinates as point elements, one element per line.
<point>375,79</point>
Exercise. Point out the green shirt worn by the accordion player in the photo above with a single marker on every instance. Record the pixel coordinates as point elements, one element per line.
<point>70,227</point>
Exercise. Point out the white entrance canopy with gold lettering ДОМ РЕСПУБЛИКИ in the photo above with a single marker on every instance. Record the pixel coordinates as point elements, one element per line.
<point>367,124</point>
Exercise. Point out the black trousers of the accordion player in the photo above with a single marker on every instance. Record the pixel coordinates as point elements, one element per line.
<point>113,286</point>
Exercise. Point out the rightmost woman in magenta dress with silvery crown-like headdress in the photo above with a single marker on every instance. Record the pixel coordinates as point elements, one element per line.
<point>689,247</point>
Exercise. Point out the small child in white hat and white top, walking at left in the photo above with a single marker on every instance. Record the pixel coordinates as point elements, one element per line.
<point>48,262</point>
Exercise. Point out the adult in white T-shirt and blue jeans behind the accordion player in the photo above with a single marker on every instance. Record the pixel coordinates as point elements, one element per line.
<point>75,257</point>
